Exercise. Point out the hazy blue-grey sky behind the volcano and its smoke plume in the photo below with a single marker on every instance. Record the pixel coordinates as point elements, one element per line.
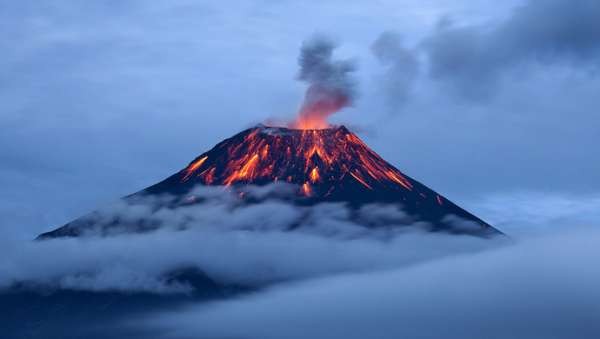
<point>493,104</point>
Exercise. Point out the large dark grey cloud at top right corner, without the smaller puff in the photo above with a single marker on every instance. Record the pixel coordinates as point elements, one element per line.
<point>474,58</point>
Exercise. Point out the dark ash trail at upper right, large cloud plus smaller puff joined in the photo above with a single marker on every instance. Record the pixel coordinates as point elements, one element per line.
<point>473,60</point>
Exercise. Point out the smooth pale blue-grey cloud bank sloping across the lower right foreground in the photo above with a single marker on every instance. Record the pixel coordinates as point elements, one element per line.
<point>540,288</point>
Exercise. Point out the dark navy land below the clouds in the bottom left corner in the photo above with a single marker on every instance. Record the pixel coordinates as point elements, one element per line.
<point>33,311</point>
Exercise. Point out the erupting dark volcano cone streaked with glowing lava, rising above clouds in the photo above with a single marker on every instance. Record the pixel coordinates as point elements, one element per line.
<point>330,165</point>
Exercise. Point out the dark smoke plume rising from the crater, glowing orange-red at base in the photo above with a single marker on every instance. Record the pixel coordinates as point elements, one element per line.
<point>330,83</point>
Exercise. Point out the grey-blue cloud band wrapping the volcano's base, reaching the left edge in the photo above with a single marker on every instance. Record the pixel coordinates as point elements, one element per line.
<point>252,245</point>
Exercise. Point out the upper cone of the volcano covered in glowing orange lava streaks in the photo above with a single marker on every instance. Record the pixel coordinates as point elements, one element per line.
<point>317,160</point>
